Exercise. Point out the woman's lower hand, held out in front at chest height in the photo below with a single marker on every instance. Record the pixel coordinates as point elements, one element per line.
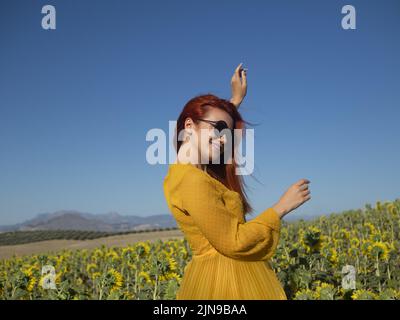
<point>295,196</point>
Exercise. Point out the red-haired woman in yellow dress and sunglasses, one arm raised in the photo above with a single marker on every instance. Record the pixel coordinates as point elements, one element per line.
<point>230,255</point>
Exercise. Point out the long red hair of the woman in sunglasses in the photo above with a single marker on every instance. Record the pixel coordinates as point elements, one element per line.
<point>196,108</point>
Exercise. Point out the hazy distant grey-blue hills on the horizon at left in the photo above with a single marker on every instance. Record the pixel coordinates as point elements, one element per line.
<point>108,222</point>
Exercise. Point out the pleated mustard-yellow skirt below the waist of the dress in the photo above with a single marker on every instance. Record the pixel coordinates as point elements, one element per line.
<point>217,277</point>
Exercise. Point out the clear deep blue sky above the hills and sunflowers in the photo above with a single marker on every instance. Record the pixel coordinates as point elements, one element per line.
<point>76,102</point>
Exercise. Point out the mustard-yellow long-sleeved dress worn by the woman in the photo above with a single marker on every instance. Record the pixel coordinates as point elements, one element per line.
<point>230,256</point>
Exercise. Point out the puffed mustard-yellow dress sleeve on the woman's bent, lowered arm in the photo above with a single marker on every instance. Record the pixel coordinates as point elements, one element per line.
<point>253,240</point>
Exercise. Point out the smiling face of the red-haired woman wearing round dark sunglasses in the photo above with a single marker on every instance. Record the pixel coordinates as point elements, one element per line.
<point>208,138</point>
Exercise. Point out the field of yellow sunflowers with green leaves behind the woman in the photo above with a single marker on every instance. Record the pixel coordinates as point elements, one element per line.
<point>312,261</point>
